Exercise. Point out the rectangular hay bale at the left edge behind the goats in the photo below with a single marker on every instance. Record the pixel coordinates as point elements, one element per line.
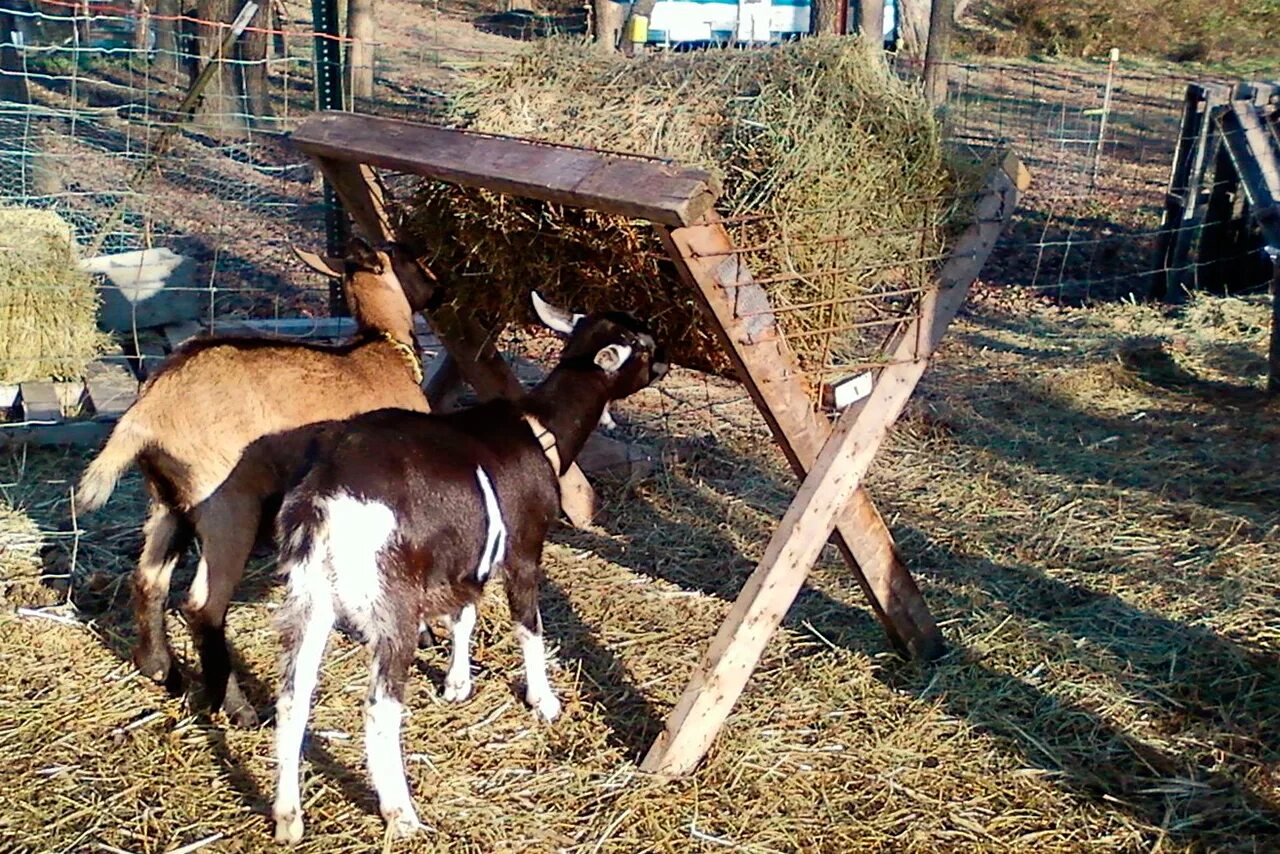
<point>48,305</point>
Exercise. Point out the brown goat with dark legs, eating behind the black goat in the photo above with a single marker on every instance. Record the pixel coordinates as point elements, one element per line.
<point>223,430</point>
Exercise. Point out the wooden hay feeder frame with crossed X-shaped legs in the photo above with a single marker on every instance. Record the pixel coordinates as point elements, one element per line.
<point>831,460</point>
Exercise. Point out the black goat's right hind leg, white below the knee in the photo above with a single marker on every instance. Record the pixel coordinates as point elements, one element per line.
<point>383,711</point>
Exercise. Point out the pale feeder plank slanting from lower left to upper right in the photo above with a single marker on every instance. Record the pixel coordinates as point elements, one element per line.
<point>831,485</point>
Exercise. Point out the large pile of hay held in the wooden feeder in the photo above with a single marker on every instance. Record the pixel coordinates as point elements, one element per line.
<point>813,140</point>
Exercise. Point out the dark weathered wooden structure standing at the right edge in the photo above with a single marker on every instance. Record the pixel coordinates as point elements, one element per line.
<point>1224,191</point>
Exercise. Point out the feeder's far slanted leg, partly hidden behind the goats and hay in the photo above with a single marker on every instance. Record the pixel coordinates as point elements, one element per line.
<point>469,345</point>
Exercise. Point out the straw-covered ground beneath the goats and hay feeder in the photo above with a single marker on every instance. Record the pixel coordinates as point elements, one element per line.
<point>1089,499</point>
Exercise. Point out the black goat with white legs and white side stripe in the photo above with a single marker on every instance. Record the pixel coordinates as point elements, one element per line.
<point>406,517</point>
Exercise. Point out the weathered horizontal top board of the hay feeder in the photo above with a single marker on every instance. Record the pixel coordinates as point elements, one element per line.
<point>611,184</point>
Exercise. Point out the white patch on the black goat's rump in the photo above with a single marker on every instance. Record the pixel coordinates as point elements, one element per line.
<point>356,532</point>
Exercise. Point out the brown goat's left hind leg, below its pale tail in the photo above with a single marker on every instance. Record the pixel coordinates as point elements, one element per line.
<point>167,536</point>
